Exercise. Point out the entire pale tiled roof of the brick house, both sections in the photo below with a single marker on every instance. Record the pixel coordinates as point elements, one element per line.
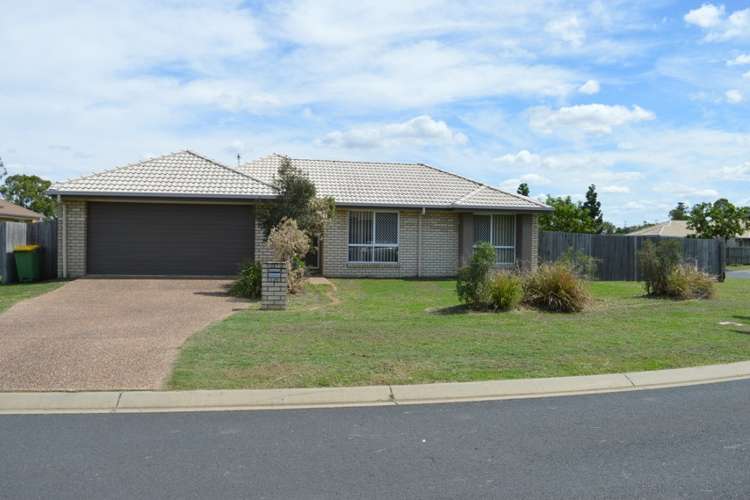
<point>350,183</point>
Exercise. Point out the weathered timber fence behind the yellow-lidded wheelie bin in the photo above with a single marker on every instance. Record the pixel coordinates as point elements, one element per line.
<point>13,234</point>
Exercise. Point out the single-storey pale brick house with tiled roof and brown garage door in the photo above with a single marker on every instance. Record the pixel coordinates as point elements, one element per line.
<point>184,214</point>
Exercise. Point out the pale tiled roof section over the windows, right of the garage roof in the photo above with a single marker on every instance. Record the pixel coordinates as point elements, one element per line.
<point>393,184</point>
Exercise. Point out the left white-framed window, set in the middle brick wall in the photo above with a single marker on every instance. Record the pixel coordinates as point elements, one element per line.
<point>373,236</point>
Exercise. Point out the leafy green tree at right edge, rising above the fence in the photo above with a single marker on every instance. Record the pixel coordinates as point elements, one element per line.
<point>720,219</point>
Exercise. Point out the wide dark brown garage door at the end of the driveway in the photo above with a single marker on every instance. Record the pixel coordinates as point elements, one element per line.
<point>168,239</point>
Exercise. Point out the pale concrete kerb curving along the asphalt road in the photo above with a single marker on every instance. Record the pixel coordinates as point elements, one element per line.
<point>383,395</point>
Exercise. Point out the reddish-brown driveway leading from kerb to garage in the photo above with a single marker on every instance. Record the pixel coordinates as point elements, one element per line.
<point>106,333</point>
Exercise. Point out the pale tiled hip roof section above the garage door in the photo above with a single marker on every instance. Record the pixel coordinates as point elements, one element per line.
<point>178,174</point>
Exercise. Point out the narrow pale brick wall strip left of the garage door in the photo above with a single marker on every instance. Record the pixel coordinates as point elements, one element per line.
<point>75,227</point>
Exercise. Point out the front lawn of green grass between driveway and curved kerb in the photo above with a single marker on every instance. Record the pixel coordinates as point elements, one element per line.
<point>401,331</point>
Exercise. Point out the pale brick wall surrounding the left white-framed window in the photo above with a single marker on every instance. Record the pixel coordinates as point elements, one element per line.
<point>439,256</point>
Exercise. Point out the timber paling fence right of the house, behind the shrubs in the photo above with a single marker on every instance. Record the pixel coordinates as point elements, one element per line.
<point>617,255</point>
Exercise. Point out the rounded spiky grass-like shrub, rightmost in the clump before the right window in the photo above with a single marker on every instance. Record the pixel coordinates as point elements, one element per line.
<point>555,288</point>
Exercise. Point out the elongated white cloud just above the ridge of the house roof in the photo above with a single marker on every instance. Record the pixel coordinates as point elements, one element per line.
<point>421,130</point>
